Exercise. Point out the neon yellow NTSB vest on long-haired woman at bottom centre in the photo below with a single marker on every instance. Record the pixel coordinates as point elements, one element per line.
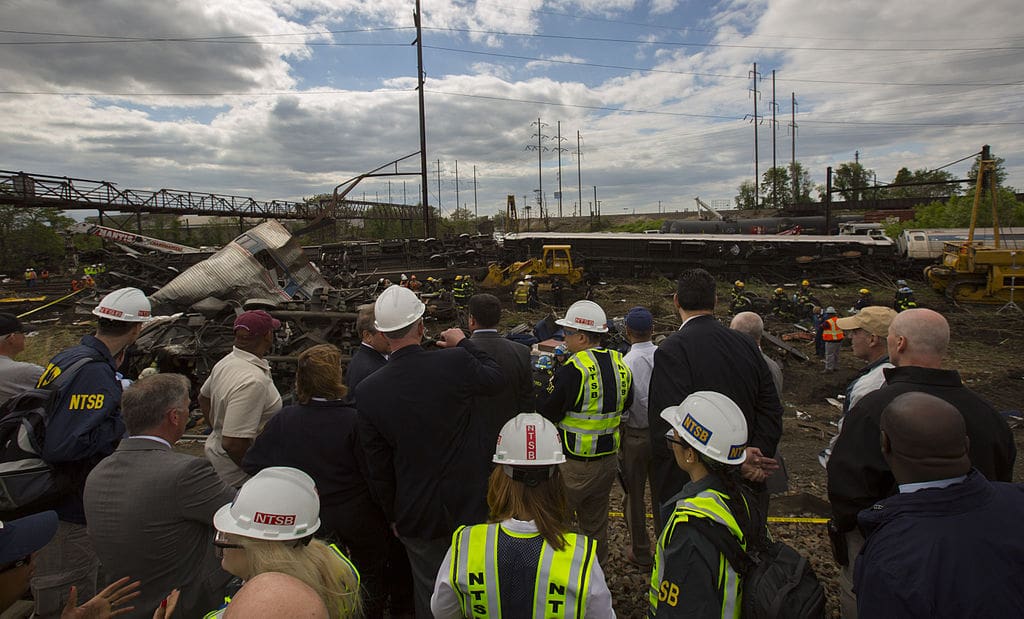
<point>563,582</point>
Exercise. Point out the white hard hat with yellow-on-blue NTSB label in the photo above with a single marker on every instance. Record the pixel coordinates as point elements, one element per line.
<point>711,424</point>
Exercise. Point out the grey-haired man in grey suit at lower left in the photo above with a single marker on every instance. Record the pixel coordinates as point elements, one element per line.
<point>151,510</point>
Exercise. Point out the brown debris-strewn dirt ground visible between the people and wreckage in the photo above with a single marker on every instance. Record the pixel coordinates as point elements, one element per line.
<point>987,348</point>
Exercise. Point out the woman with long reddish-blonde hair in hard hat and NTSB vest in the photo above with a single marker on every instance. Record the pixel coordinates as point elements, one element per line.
<point>524,563</point>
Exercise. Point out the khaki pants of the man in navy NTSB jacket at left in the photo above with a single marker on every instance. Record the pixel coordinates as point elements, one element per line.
<point>68,560</point>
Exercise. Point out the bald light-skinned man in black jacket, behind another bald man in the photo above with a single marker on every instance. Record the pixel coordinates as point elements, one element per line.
<point>860,476</point>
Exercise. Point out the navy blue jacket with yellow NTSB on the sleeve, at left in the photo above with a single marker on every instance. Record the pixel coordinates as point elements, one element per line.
<point>87,426</point>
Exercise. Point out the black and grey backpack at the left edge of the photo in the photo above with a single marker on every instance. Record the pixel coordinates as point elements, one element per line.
<point>29,484</point>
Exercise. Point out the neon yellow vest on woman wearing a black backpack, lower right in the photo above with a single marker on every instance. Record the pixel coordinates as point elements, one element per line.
<point>708,505</point>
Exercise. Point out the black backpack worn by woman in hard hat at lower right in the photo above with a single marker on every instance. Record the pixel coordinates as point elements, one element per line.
<point>778,582</point>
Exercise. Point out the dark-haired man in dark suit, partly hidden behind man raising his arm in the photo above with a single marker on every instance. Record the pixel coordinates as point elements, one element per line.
<point>513,357</point>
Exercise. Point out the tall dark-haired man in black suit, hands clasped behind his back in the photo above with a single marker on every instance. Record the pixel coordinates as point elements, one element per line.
<point>704,355</point>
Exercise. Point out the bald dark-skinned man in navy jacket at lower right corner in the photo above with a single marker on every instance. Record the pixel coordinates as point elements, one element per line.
<point>950,544</point>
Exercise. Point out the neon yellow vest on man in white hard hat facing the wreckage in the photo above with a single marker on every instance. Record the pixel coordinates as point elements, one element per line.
<point>582,427</point>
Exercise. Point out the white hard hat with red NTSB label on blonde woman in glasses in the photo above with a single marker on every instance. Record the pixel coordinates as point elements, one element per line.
<point>279,504</point>
